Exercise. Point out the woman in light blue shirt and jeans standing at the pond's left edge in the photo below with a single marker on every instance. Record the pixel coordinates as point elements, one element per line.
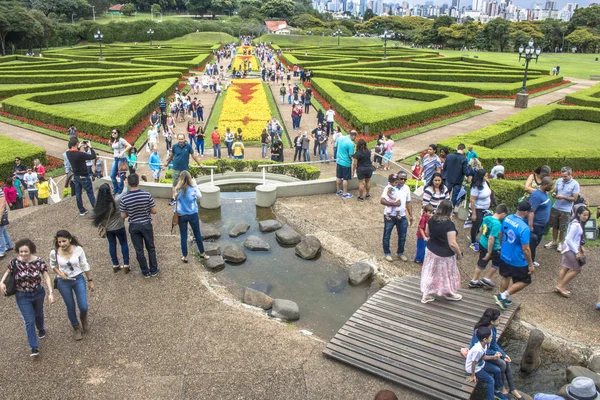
<point>186,211</point>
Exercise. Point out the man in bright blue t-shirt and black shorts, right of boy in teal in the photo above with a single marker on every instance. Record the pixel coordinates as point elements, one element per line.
<point>515,255</point>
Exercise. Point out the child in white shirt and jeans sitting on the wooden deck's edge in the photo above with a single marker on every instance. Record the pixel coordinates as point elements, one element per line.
<point>476,366</point>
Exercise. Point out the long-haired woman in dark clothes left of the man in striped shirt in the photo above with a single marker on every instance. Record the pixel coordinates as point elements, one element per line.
<point>107,219</point>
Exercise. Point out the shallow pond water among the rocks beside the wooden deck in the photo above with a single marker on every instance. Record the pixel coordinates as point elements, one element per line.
<point>290,277</point>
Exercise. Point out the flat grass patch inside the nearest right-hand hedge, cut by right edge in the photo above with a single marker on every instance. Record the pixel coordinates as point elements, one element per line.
<point>558,134</point>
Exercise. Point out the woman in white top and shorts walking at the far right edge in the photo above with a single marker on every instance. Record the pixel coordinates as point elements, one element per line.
<point>573,252</point>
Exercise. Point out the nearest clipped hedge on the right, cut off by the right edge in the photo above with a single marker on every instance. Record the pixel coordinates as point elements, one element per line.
<point>523,160</point>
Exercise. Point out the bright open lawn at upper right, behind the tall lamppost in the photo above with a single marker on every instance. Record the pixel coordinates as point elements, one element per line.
<point>572,65</point>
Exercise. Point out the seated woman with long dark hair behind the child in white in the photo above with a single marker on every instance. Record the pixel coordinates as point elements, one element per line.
<point>491,319</point>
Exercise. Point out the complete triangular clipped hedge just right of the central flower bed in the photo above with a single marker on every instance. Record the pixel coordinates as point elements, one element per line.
<point>339,95</point>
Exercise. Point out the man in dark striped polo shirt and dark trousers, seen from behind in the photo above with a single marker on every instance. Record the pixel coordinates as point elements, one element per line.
<point>137,205</point>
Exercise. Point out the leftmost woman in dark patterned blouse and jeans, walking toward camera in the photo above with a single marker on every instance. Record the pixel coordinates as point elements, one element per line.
<point>24,279</point>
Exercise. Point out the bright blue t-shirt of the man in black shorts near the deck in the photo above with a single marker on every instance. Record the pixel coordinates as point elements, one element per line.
<point>515,233</point>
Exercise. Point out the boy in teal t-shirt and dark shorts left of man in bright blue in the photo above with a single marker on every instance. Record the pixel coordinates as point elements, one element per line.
<point>489,247</point>
